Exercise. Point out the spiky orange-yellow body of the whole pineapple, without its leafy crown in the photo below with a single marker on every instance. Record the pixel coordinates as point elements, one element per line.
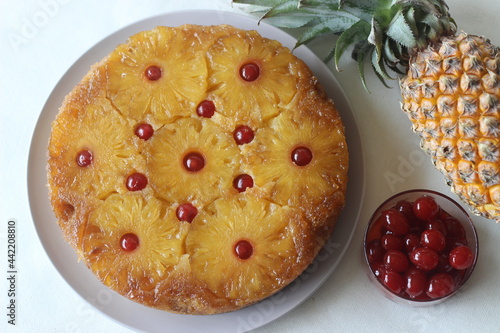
<point>451,95</point>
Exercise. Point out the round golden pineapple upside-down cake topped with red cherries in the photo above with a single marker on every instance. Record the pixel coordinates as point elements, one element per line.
<point>197,169</point>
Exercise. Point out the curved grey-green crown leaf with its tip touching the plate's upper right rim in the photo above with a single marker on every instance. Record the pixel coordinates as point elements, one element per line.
<point>331,25</point>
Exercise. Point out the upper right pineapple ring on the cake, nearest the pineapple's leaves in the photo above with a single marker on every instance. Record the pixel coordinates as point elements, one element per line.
<point>274,80</point>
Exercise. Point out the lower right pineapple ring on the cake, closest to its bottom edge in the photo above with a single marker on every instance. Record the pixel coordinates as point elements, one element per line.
<point>267,232</point>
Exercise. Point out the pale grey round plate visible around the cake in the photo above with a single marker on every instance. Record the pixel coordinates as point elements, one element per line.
<point>141,318</point>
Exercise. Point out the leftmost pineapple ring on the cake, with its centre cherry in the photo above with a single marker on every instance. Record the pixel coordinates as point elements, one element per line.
<point>99,131</point>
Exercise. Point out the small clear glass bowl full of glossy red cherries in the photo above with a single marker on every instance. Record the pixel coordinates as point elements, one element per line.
<point>421,247</point>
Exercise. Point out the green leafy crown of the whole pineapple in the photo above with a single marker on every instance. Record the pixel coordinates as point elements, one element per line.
<point>385,32</point>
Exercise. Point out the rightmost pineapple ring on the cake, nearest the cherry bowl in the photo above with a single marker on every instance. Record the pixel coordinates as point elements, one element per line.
<point>290,184</point>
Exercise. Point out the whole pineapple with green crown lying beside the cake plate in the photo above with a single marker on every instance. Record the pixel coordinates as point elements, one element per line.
<point>451,90</point>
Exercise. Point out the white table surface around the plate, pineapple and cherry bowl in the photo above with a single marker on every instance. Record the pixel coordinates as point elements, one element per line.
<point>40,40</point>
